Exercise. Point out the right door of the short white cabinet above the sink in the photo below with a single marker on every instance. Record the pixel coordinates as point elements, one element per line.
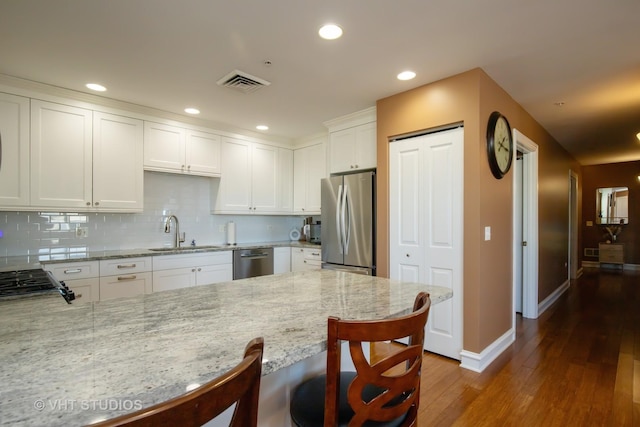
<point>202,155</point>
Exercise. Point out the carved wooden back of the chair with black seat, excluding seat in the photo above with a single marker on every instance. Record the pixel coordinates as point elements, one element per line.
<point>396,377</point>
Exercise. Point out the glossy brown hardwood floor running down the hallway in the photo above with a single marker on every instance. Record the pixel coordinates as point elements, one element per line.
<point>576,365</point>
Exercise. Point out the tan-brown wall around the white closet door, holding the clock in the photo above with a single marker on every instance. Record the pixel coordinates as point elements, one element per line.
<point>470,98</point>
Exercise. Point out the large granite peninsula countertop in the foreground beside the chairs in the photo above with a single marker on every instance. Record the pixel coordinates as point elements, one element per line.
<point>72,364</point>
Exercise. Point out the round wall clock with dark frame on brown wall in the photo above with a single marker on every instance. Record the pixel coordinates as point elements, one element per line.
<point>499,144</point>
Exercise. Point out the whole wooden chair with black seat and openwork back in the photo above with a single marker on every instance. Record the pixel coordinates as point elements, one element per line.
<point>385,393</point>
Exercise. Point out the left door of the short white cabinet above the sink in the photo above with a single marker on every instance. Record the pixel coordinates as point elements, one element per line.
<point>164,147</point>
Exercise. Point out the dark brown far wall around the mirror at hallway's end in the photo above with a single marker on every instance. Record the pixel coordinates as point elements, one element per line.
<point>612,175</point>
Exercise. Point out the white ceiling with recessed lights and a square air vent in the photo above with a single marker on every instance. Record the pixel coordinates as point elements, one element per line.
<point>169,54</point>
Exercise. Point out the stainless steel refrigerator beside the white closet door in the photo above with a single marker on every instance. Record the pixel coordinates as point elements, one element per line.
<point>348,222</point>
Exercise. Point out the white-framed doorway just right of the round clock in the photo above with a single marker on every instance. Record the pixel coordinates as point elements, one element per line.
<point>525,227</point>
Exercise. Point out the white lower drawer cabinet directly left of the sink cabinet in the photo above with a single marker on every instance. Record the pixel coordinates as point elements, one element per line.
<point>125,277</point>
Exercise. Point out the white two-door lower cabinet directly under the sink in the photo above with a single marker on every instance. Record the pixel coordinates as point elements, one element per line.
<point>186,270</point>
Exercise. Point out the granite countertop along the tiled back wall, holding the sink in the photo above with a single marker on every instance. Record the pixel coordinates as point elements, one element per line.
<point>36,260</point>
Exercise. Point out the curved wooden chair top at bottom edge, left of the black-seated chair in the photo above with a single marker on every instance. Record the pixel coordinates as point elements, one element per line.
<point>241,384</point>
